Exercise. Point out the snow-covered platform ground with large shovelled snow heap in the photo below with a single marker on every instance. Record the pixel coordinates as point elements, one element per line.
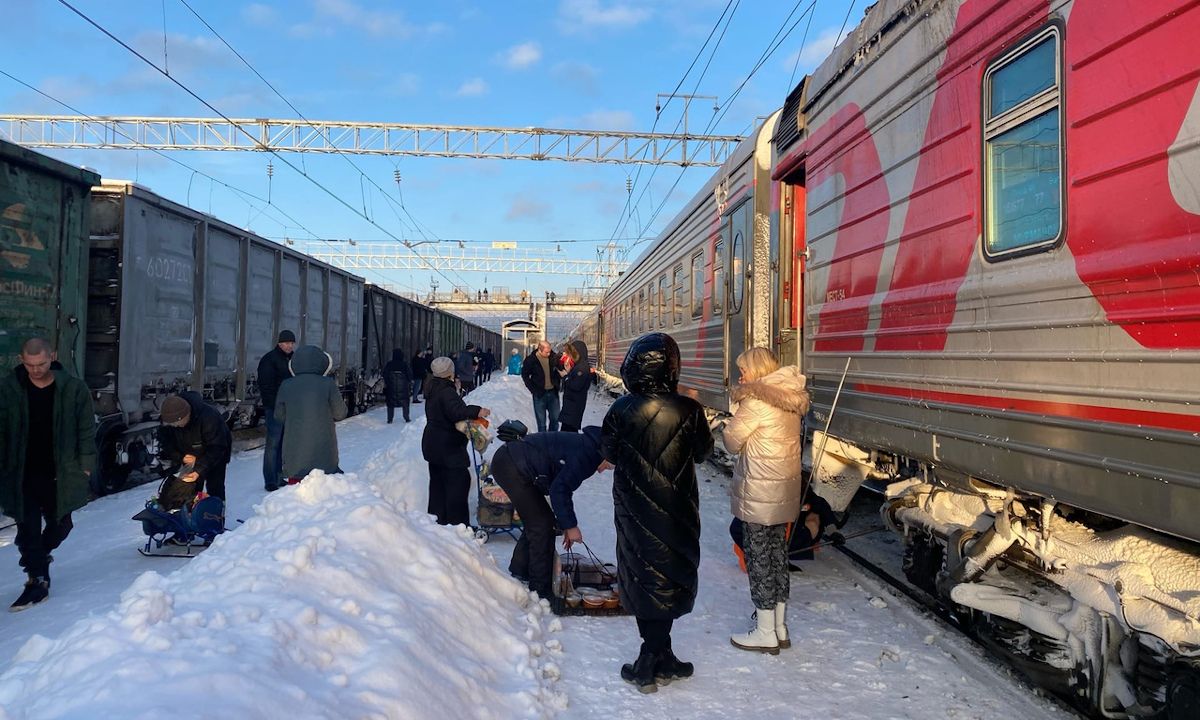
<point>340,598</point>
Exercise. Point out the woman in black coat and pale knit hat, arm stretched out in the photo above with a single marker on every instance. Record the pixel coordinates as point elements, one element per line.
<point>445,446</point>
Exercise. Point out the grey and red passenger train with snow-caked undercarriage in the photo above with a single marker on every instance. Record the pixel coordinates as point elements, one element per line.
<point>976,227</point>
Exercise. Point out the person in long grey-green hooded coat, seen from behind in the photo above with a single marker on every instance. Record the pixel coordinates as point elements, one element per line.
<point>309,405</point>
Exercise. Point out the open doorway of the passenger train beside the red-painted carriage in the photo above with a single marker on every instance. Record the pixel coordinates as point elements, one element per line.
<point>789,247</point>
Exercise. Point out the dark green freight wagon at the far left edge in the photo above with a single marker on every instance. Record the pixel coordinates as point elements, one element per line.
<point>45,207</point>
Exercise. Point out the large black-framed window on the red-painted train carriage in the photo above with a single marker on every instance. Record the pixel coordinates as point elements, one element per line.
<point>1023,157</point>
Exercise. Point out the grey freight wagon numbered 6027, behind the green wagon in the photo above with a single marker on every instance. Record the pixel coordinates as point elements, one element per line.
<point>181,301</point>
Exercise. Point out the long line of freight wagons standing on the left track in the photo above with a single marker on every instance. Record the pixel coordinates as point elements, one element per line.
<point>146,298</point>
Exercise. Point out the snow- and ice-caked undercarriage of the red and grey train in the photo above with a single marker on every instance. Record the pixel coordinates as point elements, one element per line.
<point>1105,615</point>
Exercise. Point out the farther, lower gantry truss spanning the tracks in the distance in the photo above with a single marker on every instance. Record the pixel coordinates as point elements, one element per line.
<point>385,256</point>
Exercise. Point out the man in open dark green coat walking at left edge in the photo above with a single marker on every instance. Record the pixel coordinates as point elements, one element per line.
<point>47,453</point>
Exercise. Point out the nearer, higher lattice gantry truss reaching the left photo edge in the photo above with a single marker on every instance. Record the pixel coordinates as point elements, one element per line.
<point>367,139</point>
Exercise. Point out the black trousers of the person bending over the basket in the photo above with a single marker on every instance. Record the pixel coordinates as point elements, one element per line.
<point>535,555</point>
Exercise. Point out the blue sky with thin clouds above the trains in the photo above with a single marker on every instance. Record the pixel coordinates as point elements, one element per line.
<point>568,64</point>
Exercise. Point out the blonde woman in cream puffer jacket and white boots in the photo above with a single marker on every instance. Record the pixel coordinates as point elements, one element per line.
<point>766,434</point>
